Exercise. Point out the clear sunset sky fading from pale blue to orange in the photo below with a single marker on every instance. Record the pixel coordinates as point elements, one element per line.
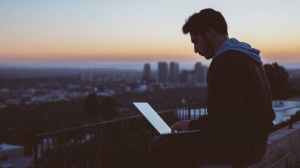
<point>123,32</point>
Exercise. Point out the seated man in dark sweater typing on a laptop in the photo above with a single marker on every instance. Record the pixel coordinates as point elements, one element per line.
<point>239,103</point>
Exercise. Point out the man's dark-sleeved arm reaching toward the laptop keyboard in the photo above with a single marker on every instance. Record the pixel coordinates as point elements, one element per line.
<point>229,98</point>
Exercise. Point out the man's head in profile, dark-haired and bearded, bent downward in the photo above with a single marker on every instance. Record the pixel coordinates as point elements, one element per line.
<point>208,30</point>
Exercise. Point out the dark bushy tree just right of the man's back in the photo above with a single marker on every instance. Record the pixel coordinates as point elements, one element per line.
<point>278,80</point>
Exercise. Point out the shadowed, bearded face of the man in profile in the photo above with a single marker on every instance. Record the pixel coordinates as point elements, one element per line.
<point>202,46</point>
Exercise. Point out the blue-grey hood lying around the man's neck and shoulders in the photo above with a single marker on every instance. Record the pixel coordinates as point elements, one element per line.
<point>234,44</point>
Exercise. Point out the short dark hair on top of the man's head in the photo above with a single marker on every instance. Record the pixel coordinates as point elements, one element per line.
<point>198,22</point>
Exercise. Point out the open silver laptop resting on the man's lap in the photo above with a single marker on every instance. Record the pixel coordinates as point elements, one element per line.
<point>158,123</point>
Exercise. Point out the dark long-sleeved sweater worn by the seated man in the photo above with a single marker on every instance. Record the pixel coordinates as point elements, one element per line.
<point>239,101</point>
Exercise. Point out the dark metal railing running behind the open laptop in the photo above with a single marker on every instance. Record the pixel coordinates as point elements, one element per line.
<point>118,143</point>
